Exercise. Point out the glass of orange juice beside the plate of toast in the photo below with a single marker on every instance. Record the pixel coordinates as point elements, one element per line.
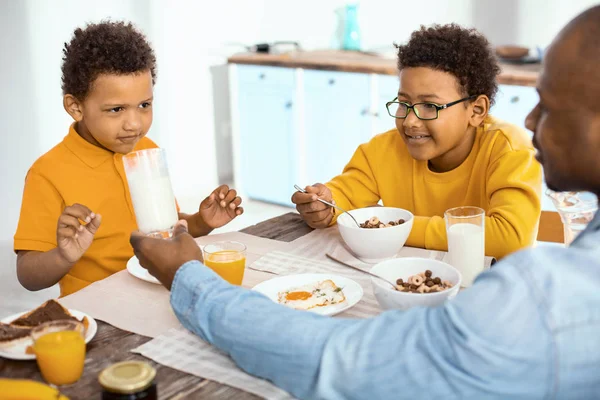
<point>59,347</point>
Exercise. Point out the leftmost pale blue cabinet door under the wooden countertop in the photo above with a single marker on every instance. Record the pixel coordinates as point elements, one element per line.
<point>267,132</point>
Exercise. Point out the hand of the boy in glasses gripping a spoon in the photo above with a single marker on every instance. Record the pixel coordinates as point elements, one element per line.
<point>316,214</point>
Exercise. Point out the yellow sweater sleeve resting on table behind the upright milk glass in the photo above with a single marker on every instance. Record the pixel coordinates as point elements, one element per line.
<point>513,190</point>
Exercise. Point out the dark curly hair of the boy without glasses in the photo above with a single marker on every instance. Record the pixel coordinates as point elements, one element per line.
<point>104,48</point>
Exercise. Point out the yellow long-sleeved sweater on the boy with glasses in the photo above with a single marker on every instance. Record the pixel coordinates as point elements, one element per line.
<point>500,175</point>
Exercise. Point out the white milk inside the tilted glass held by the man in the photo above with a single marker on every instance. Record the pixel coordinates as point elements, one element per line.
<point>153,202</point>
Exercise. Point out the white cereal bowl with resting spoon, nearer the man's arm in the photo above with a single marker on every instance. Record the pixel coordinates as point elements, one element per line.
<point>419,282</point>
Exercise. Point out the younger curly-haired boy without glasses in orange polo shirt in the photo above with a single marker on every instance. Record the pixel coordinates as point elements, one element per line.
<point>76,215</point>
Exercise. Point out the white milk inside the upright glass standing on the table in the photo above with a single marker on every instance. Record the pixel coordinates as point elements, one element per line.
<point>466,248</point>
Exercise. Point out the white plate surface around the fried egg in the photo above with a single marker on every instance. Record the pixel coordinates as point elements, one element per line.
<point>352,290</point>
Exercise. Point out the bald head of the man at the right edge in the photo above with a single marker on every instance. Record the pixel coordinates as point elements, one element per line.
<point>566,122</point>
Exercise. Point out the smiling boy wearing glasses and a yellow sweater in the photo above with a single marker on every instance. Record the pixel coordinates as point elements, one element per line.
<point>446,151</point>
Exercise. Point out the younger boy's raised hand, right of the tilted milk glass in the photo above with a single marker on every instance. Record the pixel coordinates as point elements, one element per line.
<point>222,206</point>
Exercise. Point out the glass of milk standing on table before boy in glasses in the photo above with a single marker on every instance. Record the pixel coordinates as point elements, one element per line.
<point>465,227</point>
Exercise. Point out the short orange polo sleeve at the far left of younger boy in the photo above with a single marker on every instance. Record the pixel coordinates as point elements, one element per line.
<point>41,207</point>
